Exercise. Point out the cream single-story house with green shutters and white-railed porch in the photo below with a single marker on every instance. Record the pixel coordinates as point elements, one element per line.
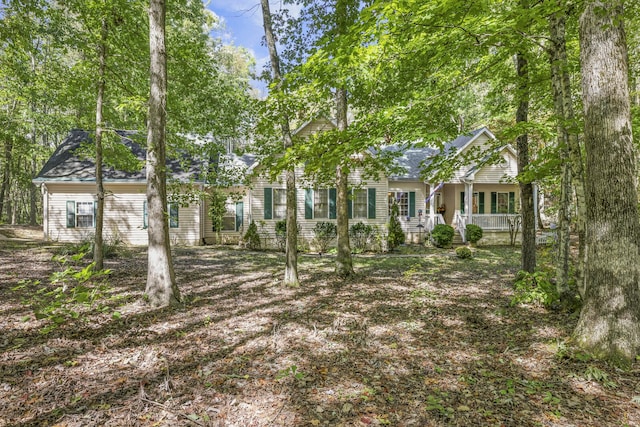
<point>483,194</point>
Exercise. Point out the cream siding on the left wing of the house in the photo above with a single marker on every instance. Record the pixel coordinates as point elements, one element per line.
<point>123,214</point>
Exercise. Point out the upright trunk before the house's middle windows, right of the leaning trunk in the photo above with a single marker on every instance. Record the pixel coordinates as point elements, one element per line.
<point>344,263</point>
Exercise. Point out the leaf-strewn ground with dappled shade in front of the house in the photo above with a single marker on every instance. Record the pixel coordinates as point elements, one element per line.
<point>421,340</point>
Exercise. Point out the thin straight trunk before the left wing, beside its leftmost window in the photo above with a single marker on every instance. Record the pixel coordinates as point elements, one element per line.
<point>98,254</point>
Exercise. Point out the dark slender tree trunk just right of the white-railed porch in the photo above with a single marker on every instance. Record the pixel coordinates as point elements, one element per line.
<point>526,188</point>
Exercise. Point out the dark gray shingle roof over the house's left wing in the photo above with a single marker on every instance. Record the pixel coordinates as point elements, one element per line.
<point>66,165</point>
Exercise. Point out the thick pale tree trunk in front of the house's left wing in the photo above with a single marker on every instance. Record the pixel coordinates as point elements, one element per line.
<point>161,283</point>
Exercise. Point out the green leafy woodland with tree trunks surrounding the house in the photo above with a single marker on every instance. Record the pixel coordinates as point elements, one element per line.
<point>557,80</point>
